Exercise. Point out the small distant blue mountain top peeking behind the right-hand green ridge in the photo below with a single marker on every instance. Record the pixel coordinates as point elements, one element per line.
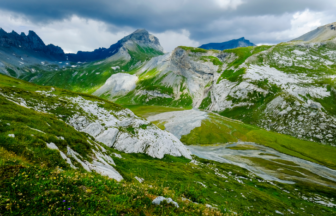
<point>241,42</point>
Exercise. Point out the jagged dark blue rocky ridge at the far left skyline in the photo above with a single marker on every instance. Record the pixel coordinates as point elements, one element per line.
<point>31,42</point>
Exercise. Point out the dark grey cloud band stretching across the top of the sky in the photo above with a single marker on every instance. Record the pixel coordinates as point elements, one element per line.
<point>204,19</point>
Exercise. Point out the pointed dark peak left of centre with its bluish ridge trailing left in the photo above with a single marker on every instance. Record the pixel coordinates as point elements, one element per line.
<point>140,36</point>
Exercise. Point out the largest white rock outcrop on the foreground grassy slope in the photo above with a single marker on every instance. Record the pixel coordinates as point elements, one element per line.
<point>151,141</point>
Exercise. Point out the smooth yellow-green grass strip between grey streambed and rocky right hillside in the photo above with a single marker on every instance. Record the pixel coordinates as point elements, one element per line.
<point>217,130</point>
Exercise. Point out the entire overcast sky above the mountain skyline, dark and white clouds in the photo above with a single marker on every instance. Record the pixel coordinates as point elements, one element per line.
<point>89,24</point>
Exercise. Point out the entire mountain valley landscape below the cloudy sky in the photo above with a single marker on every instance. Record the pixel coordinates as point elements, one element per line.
<point>243,131</point>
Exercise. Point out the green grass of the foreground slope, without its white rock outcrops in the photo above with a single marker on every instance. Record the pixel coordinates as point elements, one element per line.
<point>34,180</point>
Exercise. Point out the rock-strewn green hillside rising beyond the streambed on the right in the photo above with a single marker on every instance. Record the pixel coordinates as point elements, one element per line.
<point>287,88</point>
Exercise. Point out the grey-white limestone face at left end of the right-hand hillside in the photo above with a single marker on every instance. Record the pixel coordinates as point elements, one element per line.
<point>185,66</point>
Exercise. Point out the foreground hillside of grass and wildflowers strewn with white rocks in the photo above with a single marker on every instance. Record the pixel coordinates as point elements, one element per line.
<point>50,166</point>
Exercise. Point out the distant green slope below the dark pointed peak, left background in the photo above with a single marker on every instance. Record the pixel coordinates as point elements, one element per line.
<point>89,77</point>
